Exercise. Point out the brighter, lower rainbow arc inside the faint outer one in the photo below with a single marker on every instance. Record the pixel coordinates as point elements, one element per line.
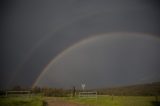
<point>83,42</point>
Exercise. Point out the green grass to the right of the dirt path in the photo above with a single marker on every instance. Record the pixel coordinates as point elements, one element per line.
<point>117,101</point>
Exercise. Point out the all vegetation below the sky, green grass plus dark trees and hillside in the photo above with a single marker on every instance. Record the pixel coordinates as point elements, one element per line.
<point>137,95</point>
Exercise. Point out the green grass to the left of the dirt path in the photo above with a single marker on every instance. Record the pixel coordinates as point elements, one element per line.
<point>21,101</point>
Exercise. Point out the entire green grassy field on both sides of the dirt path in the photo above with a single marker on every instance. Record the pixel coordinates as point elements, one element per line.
<point>100,101</point>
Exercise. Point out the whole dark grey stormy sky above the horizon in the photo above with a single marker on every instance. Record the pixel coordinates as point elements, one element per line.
<point>33,33</point>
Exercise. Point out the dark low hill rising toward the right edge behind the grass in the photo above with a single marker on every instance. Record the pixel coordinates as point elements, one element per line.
<point>150,89</point>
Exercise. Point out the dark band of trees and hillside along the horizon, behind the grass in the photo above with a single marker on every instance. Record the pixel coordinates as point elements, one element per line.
<point>152,89</point>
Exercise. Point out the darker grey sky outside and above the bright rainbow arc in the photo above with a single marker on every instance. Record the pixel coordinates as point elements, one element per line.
<point>34,32</point>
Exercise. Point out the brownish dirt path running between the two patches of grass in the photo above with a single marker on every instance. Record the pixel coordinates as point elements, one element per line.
<point>59,102</point>
